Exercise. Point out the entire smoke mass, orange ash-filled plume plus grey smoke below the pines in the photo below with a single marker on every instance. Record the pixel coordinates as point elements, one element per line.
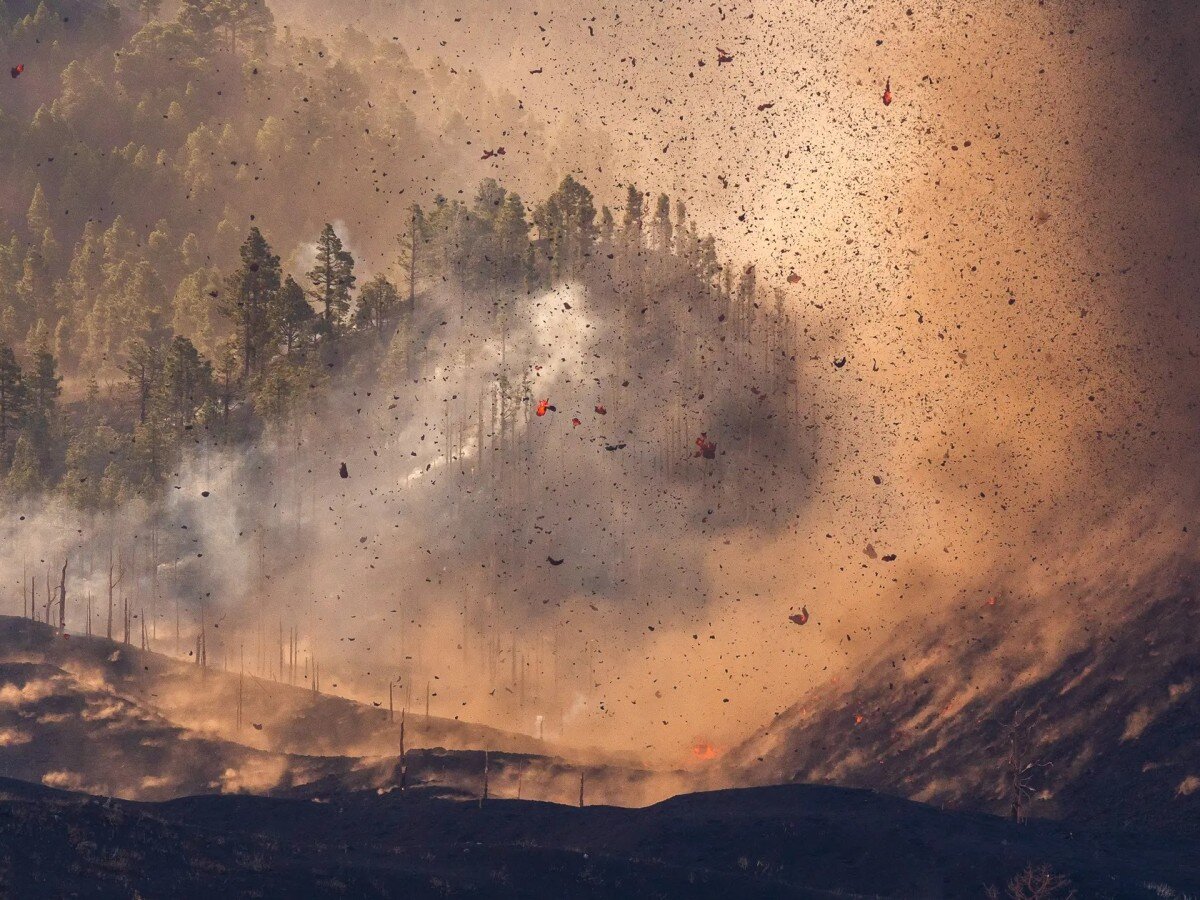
<point>1003,257</point>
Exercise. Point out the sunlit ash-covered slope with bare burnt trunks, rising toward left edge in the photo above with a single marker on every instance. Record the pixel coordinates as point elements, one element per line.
<point>94,716</point>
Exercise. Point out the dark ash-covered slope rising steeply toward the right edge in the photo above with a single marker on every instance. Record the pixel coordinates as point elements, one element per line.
<point>1109,734</point>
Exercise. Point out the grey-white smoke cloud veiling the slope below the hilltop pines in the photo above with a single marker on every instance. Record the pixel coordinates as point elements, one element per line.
<point>494,509</point>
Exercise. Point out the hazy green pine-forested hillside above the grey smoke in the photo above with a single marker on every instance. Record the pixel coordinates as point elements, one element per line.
<point>207,218</point>
